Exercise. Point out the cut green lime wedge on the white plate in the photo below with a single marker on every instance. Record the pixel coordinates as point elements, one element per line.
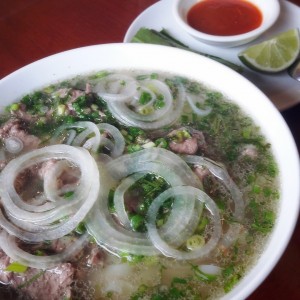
<point>273,55</point>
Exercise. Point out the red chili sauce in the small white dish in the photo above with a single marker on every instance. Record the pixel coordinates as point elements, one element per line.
<point>224,17</point>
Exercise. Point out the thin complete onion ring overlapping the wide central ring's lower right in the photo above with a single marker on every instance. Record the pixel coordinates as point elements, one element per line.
<point>163,246</point>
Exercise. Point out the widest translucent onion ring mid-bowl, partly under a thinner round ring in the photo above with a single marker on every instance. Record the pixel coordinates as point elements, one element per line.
<point>163,163</point>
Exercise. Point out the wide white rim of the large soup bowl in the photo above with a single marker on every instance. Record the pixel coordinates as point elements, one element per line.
<point>235,87</point>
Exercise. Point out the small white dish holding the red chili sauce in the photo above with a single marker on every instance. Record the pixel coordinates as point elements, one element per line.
<point>270,10</point>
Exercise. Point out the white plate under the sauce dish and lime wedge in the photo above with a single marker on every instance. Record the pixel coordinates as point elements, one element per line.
<point>280,88</point>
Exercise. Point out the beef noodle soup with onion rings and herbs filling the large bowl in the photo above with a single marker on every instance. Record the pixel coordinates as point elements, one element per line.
<point>131,185</point>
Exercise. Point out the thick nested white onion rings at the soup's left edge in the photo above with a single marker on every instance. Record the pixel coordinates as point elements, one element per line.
<point>38,223</point>
